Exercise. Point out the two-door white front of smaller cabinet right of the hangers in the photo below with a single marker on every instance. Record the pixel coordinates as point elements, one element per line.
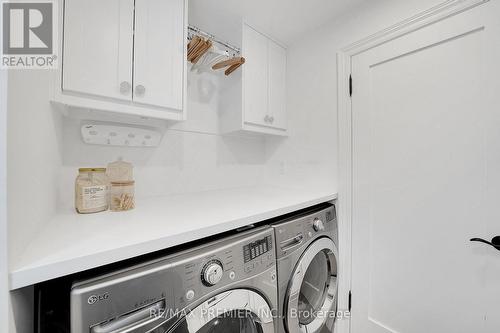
<point>264,84</point>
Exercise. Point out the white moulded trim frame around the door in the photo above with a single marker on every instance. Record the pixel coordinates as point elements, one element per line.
<point>345,126</point>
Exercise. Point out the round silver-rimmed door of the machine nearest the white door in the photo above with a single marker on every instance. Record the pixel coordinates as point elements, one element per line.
<point>311,300</point>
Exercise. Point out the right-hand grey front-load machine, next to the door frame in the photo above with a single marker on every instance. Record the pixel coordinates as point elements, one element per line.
<point>307,258</point>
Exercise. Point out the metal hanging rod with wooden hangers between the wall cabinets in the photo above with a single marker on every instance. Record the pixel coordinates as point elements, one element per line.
<point>205,51</point>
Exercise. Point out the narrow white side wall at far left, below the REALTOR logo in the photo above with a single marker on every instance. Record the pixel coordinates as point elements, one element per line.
<point>33,156</point>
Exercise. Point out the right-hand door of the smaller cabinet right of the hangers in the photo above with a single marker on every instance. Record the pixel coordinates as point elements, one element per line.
<point>277,85</point>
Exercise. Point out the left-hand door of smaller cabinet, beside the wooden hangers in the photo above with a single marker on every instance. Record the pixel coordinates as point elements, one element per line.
<point>255,77</point>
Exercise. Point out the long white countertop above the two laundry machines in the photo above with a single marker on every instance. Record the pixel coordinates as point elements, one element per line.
<point>73,243</point>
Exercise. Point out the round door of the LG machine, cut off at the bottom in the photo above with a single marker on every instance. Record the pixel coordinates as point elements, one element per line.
<point>233,311</point>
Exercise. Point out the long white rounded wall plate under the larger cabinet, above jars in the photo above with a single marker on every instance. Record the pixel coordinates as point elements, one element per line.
<point>125,136</point>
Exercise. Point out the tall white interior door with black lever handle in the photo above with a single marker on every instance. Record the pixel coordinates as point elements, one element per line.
<point>426,179</point>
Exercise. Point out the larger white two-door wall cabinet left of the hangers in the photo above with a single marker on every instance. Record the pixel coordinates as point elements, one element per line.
<point>125,56</point>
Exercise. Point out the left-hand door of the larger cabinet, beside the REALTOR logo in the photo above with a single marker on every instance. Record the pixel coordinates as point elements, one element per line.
<point>98,46</point>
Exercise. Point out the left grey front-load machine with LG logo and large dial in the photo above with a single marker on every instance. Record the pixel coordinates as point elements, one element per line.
<point>227,286</point>
